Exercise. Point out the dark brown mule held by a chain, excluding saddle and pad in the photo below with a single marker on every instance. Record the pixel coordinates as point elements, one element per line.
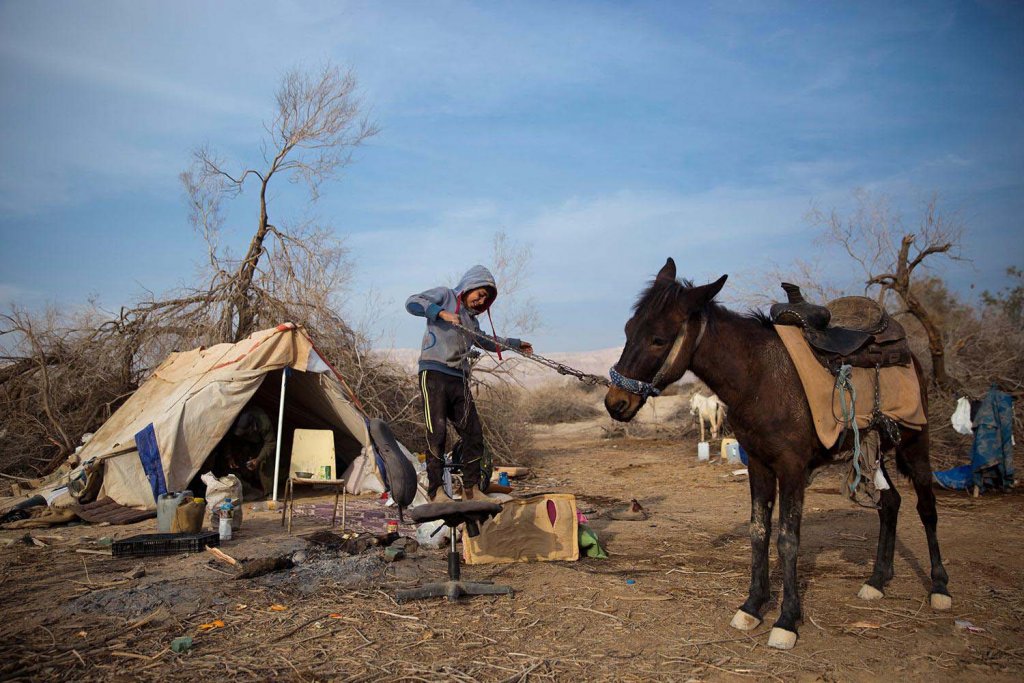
<point>676,327</point>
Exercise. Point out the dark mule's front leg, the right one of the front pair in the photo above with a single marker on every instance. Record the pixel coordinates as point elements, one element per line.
<point>792,483</point>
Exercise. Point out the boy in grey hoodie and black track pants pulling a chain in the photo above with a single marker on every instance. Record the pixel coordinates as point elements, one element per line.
<point>445,370</point>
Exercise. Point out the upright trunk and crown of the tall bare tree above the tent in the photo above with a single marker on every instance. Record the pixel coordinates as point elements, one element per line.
<point>318,124</point>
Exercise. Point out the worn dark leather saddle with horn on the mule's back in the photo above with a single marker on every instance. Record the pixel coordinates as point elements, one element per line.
<point>855,331</point>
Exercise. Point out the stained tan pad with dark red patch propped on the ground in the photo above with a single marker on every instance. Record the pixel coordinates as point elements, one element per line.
<point>538,529</point>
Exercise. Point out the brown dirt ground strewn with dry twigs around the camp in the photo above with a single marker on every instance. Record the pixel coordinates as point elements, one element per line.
<point>69,616</point>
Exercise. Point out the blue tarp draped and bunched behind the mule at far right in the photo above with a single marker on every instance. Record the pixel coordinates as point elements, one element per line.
<point>993,452</point>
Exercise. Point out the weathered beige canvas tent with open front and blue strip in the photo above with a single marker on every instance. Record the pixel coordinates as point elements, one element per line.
<point>160,439</point>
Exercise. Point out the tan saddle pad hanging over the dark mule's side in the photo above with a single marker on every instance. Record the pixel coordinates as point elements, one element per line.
<point>899,391</point>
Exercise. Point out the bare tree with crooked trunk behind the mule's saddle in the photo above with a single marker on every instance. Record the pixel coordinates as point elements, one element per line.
<point>890,254</point>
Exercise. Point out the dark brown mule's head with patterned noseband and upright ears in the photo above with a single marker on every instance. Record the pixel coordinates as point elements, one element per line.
<point>668,324</point>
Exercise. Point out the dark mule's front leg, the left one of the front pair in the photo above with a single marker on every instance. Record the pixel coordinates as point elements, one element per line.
<point>762,482</point>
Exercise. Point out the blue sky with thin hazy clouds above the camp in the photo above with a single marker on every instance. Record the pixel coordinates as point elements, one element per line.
<point>603,137</point>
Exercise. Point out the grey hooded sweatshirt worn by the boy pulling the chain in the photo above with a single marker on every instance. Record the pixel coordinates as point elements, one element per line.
<point>446,349</point>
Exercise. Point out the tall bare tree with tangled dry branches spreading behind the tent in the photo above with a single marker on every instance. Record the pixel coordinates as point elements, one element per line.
<point>62,375</point>
